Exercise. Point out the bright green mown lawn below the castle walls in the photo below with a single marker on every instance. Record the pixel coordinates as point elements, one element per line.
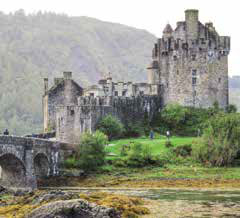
<point>157,145</point>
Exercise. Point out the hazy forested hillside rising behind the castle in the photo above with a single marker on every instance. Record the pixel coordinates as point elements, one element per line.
<point>45,44</point>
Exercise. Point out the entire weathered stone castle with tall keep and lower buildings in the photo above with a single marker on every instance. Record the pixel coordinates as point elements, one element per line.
<point>189,67</point>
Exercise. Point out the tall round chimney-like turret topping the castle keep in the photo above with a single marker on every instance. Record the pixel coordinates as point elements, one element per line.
<point>191,18</point>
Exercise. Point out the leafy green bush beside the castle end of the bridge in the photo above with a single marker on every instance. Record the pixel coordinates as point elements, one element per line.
<point>91,153</point>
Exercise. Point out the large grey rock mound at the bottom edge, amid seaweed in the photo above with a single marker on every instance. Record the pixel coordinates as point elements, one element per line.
<point>73,209</point>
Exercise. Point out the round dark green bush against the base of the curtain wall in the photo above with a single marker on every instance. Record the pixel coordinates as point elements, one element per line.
<point>111,127</point>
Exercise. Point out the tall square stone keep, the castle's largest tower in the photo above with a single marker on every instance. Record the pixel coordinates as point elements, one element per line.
<point>190,64</point>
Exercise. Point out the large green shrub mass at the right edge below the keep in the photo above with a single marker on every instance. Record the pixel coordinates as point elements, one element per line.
<point>220,143</point>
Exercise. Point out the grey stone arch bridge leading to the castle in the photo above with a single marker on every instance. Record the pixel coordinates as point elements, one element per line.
<point>23,160</point>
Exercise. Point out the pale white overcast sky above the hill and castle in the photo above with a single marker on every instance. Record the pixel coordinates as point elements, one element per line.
<point>151,15</point>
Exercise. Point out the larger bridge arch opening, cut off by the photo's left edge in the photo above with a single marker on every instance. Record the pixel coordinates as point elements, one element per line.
<point>13,171</point>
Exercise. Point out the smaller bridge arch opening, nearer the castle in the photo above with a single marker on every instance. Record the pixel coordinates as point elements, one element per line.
<point>41,165</point>
